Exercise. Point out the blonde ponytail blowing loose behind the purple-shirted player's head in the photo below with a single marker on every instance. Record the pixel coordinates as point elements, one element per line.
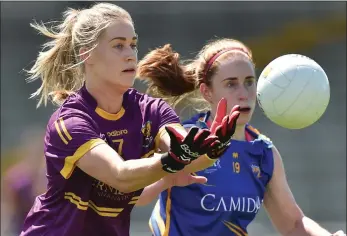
<point>56,65</point>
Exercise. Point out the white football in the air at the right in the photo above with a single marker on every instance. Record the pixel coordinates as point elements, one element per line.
<point>293,91</point>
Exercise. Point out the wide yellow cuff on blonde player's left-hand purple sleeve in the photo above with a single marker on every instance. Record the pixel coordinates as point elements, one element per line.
<point>69,164</point>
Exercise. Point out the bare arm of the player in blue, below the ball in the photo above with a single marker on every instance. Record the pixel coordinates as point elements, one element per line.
<point>280,204</point>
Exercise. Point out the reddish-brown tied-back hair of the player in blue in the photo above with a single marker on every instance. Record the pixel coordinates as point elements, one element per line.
<point>173,80</point>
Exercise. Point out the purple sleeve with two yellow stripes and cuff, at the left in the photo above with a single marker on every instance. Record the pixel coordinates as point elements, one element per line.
<point>68,138</point>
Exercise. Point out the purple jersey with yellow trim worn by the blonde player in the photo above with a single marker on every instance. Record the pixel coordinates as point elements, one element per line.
<point>76,203</point>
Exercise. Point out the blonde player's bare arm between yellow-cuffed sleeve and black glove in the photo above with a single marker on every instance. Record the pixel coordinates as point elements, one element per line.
<point>104,164</point>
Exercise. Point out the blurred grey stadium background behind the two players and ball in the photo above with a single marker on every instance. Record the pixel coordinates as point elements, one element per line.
<point>314,158</point>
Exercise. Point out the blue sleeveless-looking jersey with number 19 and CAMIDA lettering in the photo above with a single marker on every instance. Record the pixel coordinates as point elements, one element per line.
<point>231,198</point>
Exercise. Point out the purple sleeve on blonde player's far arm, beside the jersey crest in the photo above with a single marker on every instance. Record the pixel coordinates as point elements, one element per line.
<point>167,116</point>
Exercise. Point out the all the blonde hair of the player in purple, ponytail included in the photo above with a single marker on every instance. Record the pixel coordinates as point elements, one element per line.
<point>58,64</point>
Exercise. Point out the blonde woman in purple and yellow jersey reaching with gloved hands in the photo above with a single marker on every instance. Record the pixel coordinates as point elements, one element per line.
<point>98,141</point>
